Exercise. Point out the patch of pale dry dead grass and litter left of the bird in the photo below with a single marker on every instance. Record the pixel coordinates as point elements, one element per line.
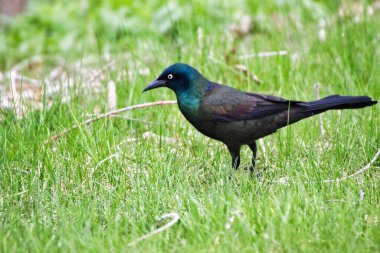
<point>26,84</point>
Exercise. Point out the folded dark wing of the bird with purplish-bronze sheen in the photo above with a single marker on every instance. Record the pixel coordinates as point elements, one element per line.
<point>225,104</point>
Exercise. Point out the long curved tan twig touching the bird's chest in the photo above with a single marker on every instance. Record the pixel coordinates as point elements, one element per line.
<point>105,115</point>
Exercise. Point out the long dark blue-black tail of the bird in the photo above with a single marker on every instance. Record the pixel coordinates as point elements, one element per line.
<point>336,102</point>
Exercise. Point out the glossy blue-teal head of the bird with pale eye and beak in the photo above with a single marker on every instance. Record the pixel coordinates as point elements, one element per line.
<point>179,77</point>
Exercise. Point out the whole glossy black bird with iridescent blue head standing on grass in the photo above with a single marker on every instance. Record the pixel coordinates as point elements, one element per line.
<point>236,117</point>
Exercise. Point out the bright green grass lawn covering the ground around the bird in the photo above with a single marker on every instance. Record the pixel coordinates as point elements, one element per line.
<point>57,198</point>
